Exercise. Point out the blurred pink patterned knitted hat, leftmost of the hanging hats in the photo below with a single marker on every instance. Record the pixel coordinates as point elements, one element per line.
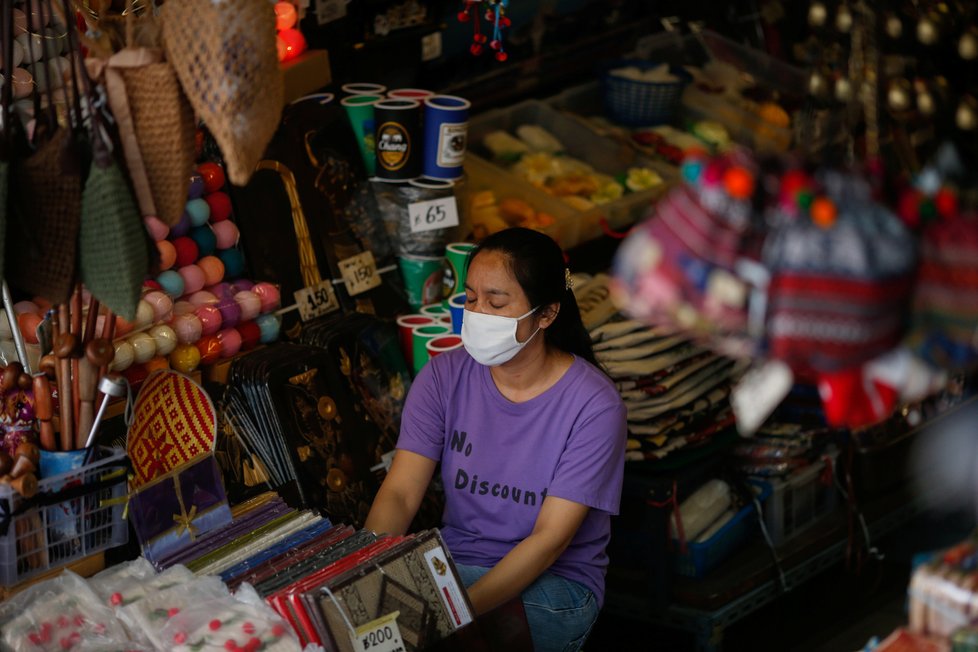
<point>687,266</point>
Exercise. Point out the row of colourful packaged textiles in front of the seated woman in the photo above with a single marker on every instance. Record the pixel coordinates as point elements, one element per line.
<point>327,580</point>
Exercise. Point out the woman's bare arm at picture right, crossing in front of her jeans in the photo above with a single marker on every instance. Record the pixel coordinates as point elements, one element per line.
<point>555,527</point>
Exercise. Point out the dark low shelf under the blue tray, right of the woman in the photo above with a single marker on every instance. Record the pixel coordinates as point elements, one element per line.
<point>749,579</point>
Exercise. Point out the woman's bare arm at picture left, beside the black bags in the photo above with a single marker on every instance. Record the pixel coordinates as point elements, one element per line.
<point>401,493</point>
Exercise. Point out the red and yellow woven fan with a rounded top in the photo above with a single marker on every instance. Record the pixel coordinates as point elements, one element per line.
<point>174,422</point>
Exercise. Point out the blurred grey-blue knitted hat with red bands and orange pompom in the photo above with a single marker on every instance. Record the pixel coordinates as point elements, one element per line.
<point>841,270</point>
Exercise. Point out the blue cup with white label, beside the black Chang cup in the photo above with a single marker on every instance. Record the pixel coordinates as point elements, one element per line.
<point>446,129</point>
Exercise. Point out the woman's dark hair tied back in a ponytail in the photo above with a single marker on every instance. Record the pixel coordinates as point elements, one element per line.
<point>538,265</point>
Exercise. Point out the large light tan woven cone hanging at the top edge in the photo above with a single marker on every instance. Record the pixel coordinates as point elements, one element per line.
<point>225,56</point>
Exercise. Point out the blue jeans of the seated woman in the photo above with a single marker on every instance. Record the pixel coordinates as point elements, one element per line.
<point>560,612</point>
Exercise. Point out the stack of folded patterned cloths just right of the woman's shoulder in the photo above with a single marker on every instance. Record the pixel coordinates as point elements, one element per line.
<point>676,391</point>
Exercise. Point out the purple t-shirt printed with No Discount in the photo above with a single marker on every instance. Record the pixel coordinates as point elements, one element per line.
<point>500,459</point>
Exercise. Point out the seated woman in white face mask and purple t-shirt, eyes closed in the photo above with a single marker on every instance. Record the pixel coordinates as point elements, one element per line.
<point>531,440</point>
